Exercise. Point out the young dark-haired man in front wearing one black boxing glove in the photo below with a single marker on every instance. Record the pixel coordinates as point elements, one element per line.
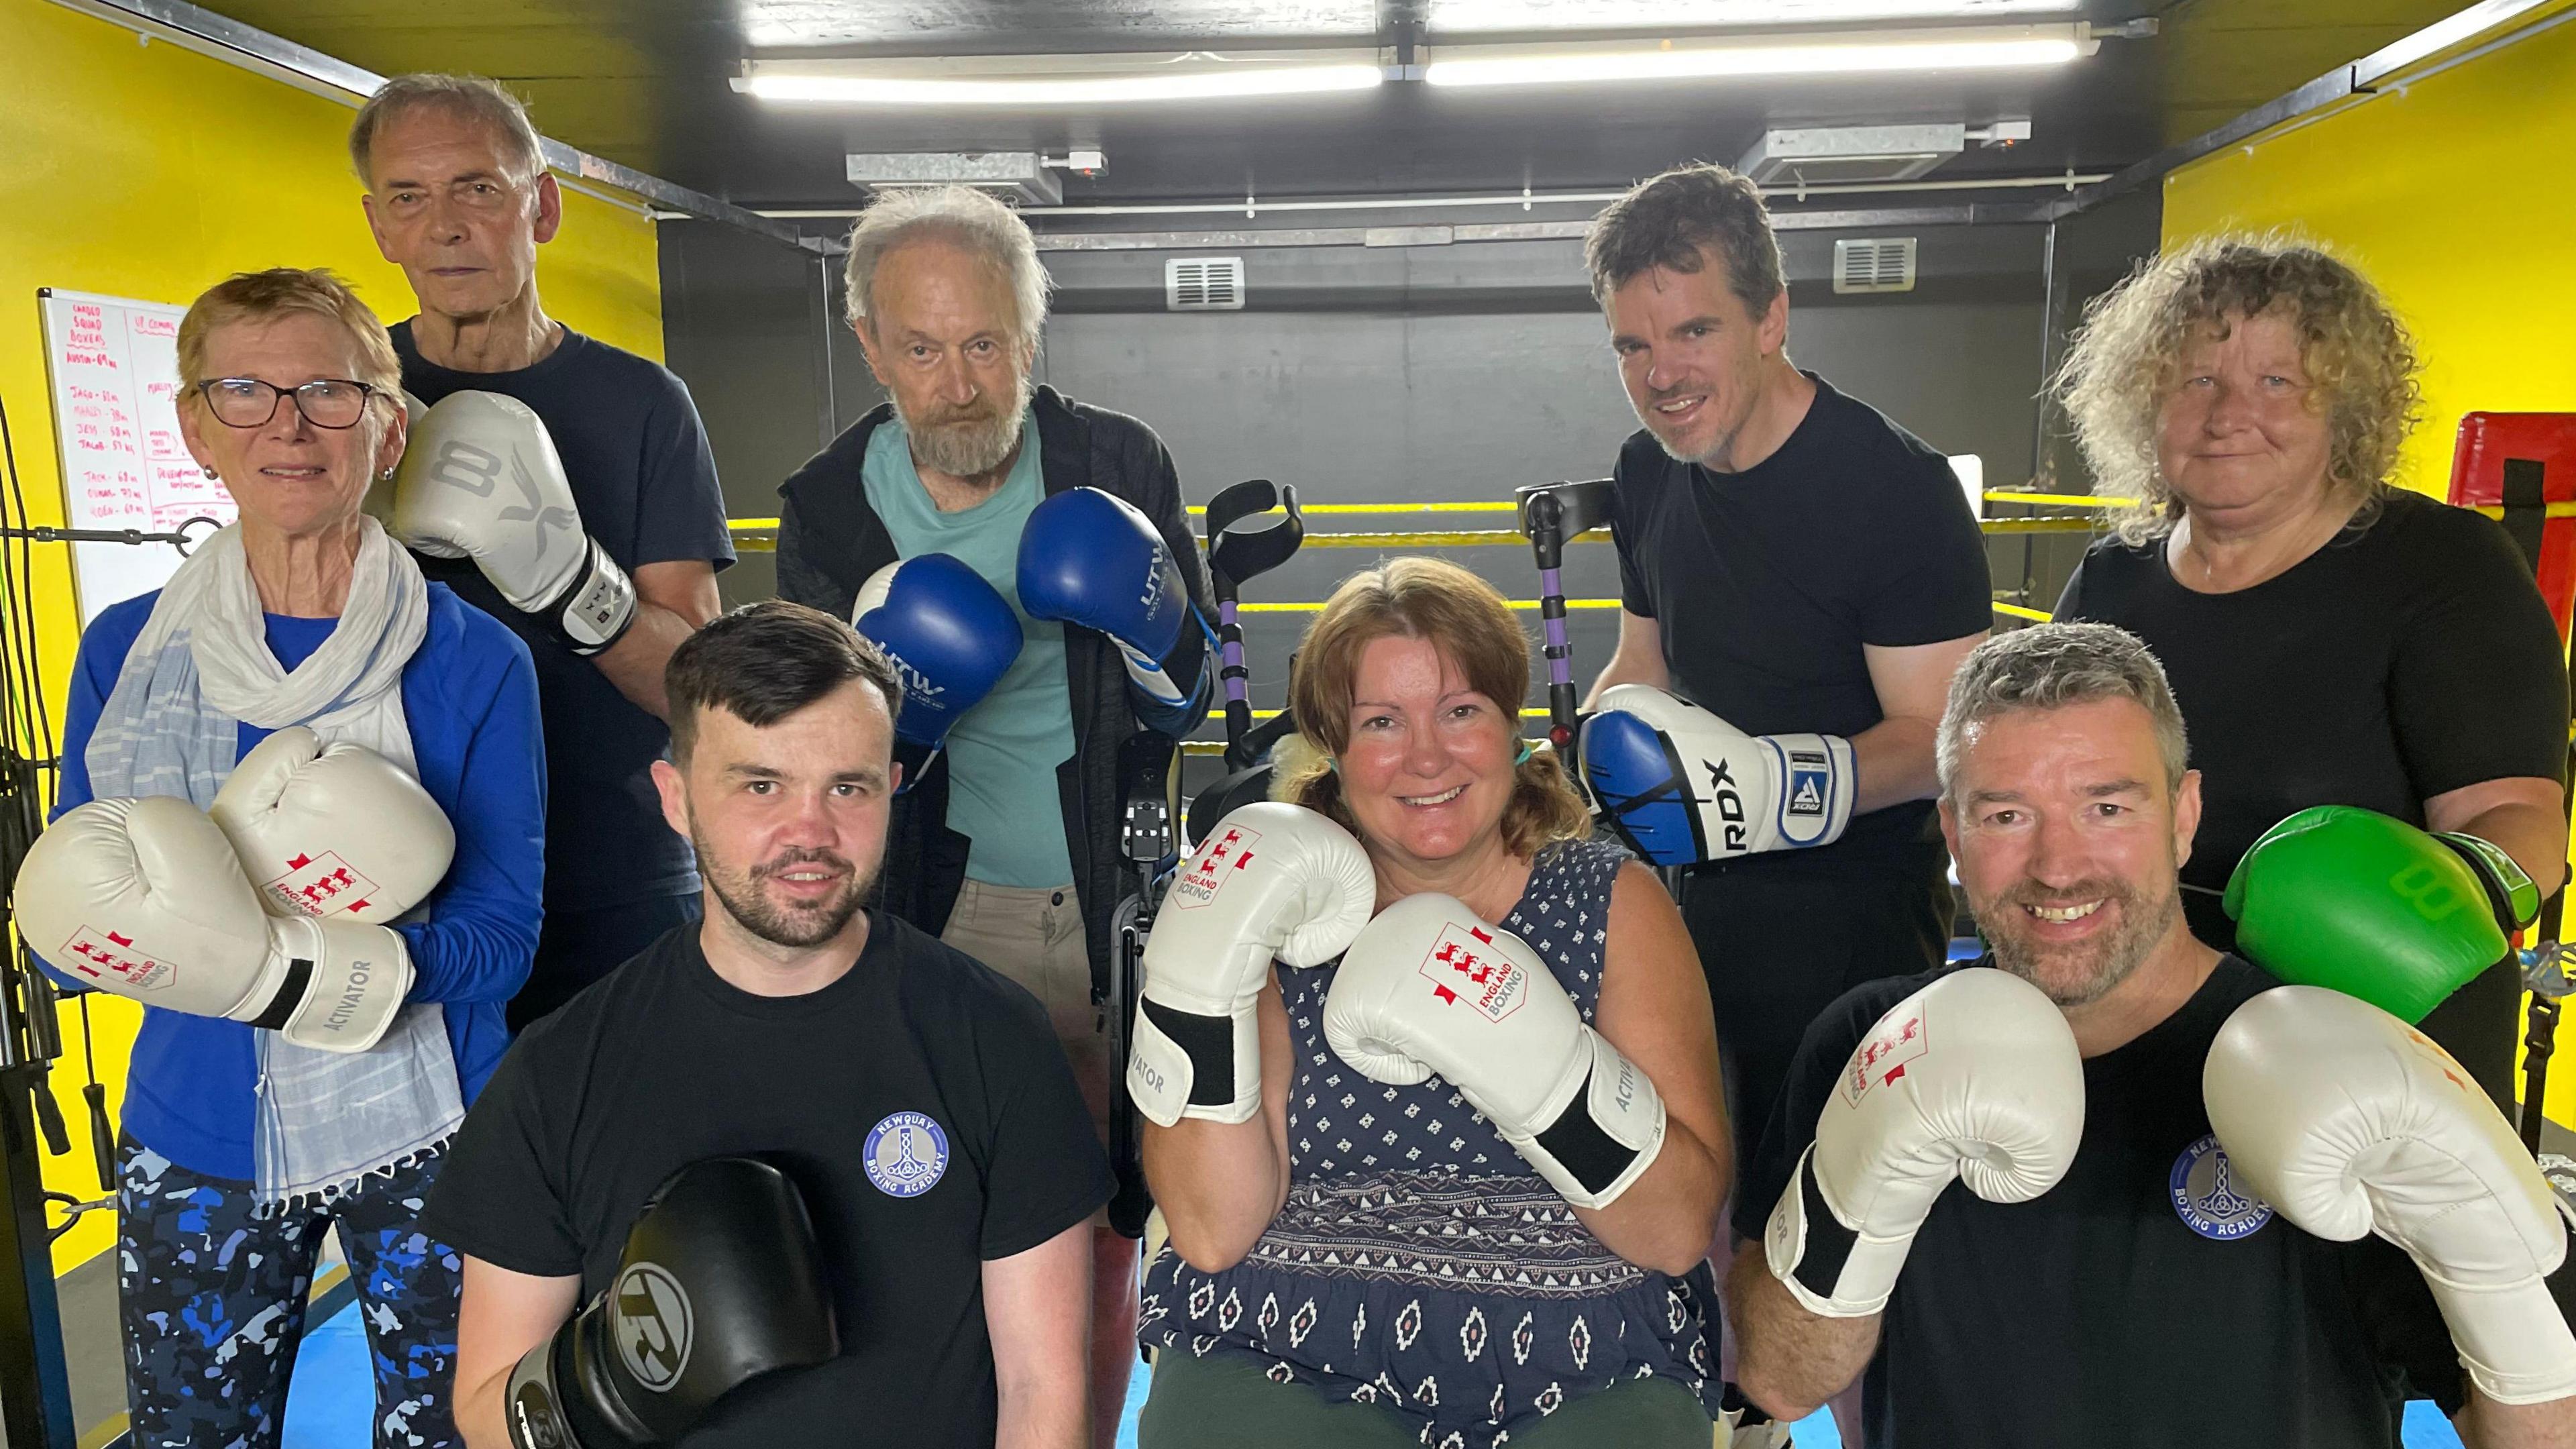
<point>913,1097</point>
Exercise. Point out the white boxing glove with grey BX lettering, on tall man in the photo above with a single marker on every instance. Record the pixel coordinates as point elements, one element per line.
<point>480,481</point>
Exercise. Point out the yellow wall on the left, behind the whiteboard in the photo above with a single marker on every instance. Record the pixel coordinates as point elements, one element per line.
<point>151,171</point>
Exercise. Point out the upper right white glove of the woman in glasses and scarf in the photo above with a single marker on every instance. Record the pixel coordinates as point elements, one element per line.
<point>334,831</point>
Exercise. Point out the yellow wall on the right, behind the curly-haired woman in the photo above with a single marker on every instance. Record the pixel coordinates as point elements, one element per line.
<point>2451,192</point>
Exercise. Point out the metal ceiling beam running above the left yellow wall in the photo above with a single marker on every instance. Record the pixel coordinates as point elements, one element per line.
<point>316,73</point>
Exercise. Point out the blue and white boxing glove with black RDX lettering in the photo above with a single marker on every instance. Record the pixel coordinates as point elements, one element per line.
<point>1683,785</point>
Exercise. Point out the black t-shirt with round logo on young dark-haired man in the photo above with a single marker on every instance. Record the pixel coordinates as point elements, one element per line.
<point>666,1064</point>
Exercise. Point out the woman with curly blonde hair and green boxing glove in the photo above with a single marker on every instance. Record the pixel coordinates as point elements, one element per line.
<point>2333,638</point>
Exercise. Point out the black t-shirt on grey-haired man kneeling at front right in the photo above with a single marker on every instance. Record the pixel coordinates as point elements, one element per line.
<point>2098,1314</point>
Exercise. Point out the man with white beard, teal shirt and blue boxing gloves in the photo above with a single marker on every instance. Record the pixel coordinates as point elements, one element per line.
<point>1029,566</point>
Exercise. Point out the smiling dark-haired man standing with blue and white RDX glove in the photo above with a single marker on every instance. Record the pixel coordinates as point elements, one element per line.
<point>1802,571</point>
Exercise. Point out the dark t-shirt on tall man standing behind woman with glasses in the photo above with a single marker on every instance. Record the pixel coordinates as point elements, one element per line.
<point>645,483</point>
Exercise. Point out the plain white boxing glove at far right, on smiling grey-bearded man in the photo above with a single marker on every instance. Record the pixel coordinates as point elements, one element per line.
<point>2353,1123</point>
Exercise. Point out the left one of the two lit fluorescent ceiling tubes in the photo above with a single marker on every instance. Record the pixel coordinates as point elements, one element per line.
<point>1060,81</point>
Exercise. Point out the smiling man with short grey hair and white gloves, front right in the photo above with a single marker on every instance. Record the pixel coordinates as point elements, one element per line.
<point>2111,1272</point>
